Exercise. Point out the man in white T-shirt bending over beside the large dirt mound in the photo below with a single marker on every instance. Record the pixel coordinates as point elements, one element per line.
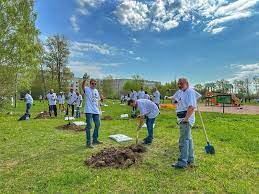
<point>149,110</point>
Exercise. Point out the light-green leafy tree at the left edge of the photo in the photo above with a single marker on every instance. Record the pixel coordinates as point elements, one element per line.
<point>20,50</point>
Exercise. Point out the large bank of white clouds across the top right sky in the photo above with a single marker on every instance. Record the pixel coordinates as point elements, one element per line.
<point>162,15</point>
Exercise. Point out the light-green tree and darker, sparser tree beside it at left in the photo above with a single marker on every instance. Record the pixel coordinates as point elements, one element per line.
<point>25,61</point>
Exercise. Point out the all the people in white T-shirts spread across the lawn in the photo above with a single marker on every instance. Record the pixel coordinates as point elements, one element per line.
<point>185,99</point>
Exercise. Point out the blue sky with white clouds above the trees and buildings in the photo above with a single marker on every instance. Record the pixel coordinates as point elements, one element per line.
<point>203,40</point>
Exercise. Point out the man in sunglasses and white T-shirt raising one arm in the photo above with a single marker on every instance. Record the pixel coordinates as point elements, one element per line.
<point>92,112</point>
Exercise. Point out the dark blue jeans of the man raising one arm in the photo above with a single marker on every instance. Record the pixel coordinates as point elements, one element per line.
<point>96,119</point>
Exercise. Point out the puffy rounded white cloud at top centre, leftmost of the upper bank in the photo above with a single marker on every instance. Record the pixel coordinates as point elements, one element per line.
<point>133,14</point>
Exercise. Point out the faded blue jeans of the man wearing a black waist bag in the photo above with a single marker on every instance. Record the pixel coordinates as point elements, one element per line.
<point>185,145</point>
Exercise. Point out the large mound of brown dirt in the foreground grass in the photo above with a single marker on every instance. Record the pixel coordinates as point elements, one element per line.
<point>122,157</point>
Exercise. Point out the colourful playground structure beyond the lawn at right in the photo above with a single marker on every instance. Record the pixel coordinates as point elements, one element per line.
<point>226,97</point>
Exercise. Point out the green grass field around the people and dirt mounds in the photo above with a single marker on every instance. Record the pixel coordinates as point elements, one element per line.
<point>36,157</point>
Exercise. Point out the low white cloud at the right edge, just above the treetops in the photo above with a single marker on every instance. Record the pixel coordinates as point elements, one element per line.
<point>244,71</point>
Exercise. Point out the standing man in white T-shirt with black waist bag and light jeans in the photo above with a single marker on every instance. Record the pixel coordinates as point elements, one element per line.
<point>186,100</point>
